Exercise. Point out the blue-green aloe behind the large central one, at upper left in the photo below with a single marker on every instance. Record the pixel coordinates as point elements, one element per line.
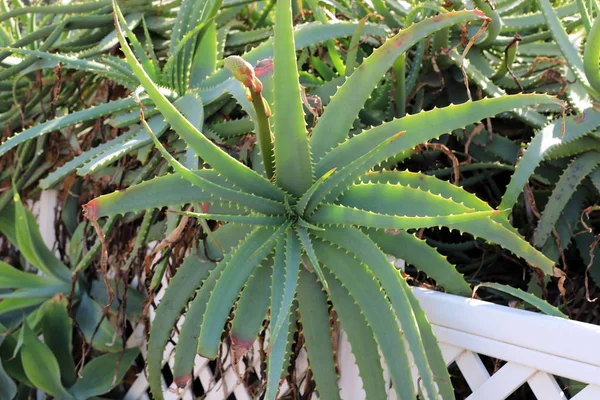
<point>188,68</point>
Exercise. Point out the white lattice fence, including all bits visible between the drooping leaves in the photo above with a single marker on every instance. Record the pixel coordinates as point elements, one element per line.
<point>535,348</point>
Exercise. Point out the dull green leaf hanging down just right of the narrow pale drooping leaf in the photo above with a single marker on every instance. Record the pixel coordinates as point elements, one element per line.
<point>314,316</point>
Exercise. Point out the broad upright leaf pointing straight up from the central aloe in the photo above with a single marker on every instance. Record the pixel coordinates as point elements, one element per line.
<point>292,156</point>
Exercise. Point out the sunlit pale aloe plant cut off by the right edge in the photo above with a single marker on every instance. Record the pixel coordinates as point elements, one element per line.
<point>569,142</point>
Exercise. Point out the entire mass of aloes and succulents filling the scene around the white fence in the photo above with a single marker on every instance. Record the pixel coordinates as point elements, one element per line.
<point>263,159</point>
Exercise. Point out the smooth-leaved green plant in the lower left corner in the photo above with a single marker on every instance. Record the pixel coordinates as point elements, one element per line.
<point>51,304</point>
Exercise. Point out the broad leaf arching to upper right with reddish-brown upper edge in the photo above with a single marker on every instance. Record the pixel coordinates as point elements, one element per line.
<point>337,119</point>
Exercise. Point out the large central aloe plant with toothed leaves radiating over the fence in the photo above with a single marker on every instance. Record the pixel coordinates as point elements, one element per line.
<point>316,226</point>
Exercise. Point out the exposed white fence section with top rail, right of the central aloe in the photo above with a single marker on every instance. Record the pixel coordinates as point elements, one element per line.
<point>536,348</point>
